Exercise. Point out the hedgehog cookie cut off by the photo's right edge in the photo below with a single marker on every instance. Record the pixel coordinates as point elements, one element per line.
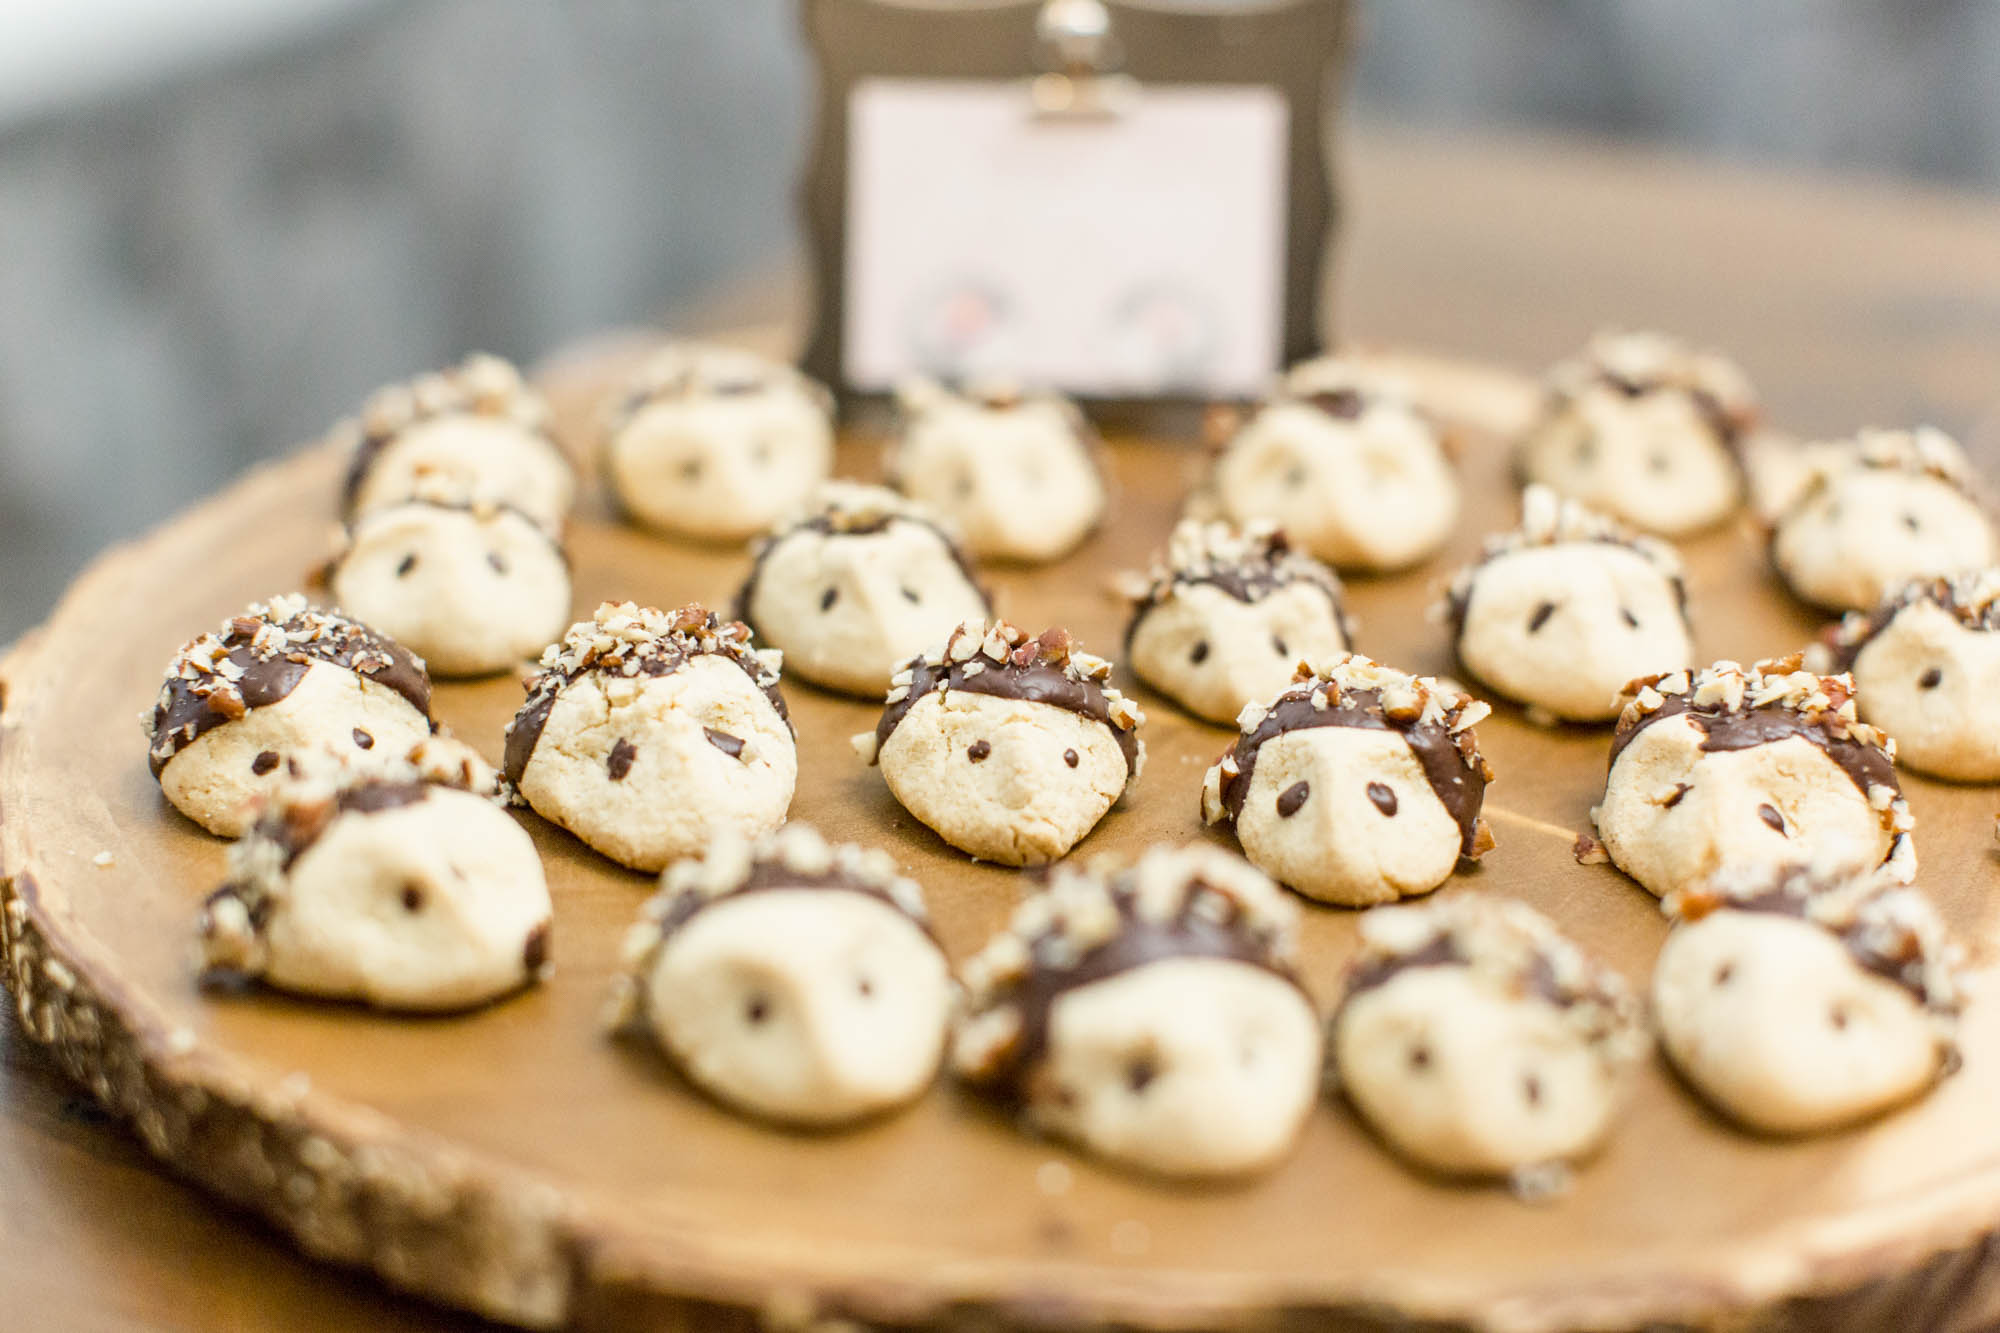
<point>1927,672</point>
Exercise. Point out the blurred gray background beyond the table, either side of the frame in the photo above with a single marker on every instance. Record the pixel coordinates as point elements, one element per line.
<point>225,221</point>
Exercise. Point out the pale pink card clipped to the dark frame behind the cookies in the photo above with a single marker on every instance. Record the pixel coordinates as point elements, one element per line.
<point>1125,257</point>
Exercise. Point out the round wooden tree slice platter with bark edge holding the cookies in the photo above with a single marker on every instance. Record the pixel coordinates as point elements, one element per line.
<point>519,1164</point>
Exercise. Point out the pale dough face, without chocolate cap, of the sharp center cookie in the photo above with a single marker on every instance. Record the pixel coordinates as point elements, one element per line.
<point>1021,802</point>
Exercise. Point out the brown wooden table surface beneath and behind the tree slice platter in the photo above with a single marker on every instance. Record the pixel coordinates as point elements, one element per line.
<point>1851,303</point>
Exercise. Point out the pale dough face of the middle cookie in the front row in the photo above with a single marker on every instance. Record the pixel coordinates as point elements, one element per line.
<point>1183,1068</point>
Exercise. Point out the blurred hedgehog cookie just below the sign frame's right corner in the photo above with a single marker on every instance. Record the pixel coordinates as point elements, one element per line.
<point>1347,465</point>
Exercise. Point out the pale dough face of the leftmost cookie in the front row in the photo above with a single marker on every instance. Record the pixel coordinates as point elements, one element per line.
<point>423,908</point>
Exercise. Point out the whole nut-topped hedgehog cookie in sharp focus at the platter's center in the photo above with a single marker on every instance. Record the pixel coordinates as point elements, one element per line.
<point>1007,748</point>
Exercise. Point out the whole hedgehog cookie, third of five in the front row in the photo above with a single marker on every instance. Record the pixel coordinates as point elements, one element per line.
<point>1149,1016</point>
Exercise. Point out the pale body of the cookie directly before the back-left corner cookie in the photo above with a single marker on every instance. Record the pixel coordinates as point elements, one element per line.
<point>469,593</point>
